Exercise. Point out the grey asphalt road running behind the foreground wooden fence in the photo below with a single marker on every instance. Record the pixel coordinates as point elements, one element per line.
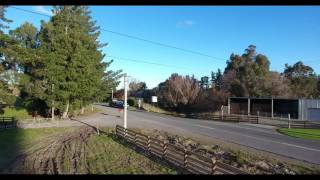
<point>261,137</point>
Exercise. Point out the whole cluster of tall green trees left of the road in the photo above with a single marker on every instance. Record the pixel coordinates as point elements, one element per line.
<point>58,68</point>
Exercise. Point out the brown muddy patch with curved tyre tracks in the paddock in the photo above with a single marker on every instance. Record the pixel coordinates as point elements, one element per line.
<point>48,155</point>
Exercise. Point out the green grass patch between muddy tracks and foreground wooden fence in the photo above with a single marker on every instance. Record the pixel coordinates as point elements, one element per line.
<point>116,158</point>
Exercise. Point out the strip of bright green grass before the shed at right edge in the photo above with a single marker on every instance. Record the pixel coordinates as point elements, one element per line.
<point>301,133</point>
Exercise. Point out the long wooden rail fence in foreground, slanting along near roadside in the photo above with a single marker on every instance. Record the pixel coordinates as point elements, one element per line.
<point>181,157</point>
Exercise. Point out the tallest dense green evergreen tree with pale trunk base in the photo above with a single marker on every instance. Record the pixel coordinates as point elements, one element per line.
<point>74,59</point>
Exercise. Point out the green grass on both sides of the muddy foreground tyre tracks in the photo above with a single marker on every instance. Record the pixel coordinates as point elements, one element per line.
<point>104,155</point>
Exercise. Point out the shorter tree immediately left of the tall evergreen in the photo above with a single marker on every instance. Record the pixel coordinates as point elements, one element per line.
<point>30,68</point>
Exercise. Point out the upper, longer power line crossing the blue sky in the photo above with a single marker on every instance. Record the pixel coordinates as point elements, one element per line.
<point>136,38</point>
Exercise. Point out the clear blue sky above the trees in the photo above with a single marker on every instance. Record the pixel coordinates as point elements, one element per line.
<point>285,34</point>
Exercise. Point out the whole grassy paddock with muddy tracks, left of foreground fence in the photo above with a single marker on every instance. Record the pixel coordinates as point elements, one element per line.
<point>66,151</point>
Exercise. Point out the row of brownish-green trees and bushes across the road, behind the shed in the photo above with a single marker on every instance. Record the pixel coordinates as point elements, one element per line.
<point>248,74</point>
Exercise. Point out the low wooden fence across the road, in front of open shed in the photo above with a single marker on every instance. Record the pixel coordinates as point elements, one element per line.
<point>226,118</point>
